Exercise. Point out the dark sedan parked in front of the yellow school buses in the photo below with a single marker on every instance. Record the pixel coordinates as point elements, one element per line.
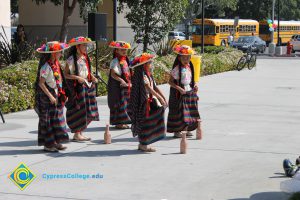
<point>245,42</point>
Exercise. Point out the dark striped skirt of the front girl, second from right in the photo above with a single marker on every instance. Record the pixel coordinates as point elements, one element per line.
<point>152,127</point>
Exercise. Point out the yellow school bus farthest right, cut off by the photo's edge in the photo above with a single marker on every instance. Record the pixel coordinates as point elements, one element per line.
<point>287,30</point>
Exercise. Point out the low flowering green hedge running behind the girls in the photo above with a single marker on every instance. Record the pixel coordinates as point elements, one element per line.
<point>17,81</point>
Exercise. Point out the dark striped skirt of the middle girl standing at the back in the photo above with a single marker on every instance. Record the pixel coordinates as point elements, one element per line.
<point>119,115</point>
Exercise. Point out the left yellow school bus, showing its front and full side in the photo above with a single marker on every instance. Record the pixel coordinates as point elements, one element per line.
<point>216,31</point>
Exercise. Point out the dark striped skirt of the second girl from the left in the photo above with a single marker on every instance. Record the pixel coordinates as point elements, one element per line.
<point>83,110</point>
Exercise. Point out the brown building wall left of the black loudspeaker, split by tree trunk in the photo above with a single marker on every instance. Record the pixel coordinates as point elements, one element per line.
<point>43,22</point>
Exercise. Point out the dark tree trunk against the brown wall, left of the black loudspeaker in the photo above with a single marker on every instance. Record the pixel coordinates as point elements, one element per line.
<point>68,10</point>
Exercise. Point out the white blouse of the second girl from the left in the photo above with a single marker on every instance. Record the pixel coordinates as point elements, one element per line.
<point>82,68</point>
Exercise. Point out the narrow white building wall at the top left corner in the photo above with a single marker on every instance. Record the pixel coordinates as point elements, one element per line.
<point>5,18</point>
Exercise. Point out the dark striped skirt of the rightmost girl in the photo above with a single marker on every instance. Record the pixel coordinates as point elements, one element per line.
<point>185,115</point>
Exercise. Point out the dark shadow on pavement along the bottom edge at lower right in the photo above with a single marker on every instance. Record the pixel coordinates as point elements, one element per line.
<point>266,196</point>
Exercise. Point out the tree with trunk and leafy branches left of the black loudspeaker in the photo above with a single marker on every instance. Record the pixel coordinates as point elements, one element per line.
<point>86,6</point>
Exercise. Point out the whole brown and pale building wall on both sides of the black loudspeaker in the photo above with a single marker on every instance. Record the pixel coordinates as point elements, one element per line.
<point>43,22</point>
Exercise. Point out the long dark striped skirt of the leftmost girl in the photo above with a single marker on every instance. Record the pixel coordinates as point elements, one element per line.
<point>52,125</point>
